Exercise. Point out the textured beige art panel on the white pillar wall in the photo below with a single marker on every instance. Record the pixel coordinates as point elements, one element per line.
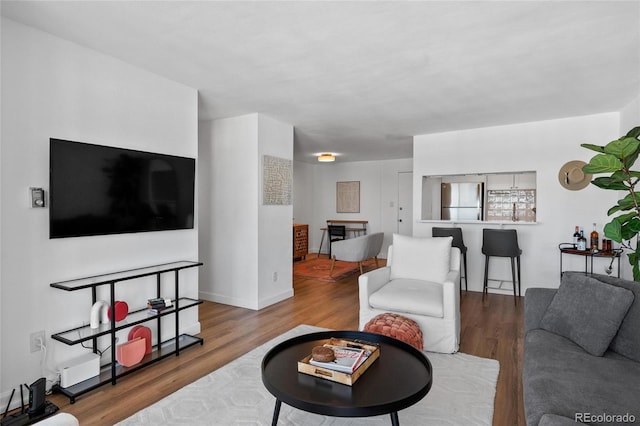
<point>277,180</point>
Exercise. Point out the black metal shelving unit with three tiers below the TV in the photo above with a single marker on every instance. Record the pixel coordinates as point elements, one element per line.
<point>112,371</point>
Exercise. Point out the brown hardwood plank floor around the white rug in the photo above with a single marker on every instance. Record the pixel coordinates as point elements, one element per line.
<point>492,328</point>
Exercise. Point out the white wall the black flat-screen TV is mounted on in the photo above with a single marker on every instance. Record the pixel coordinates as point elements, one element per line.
<point>54,88</point>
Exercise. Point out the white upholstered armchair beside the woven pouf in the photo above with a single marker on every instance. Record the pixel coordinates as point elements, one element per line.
<point>420,283</point>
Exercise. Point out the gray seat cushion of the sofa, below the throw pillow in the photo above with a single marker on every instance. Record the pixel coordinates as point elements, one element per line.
<point>559,377</point>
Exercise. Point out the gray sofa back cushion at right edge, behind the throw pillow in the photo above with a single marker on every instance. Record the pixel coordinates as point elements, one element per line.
<point>627,341</point>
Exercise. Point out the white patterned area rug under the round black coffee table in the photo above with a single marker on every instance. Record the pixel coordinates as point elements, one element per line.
<point>462,394</point>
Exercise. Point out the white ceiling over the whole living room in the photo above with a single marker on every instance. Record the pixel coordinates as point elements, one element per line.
<point>361,78</point>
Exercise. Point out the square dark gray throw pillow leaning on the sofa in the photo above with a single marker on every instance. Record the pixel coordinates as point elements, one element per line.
<point>587,311</point>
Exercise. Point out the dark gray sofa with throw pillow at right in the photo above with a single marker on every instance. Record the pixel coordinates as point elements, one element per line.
<point>582,352</point>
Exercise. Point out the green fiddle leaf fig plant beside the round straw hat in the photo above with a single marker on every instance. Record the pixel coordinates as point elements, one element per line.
<point>616,160</point>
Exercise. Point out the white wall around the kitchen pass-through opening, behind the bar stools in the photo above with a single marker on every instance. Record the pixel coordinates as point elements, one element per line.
<point>539,146</point>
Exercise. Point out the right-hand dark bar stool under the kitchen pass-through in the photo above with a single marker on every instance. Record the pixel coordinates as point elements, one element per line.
<point>501,243</point>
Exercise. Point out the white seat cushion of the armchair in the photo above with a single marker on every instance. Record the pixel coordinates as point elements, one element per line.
<point>409,296</point>
